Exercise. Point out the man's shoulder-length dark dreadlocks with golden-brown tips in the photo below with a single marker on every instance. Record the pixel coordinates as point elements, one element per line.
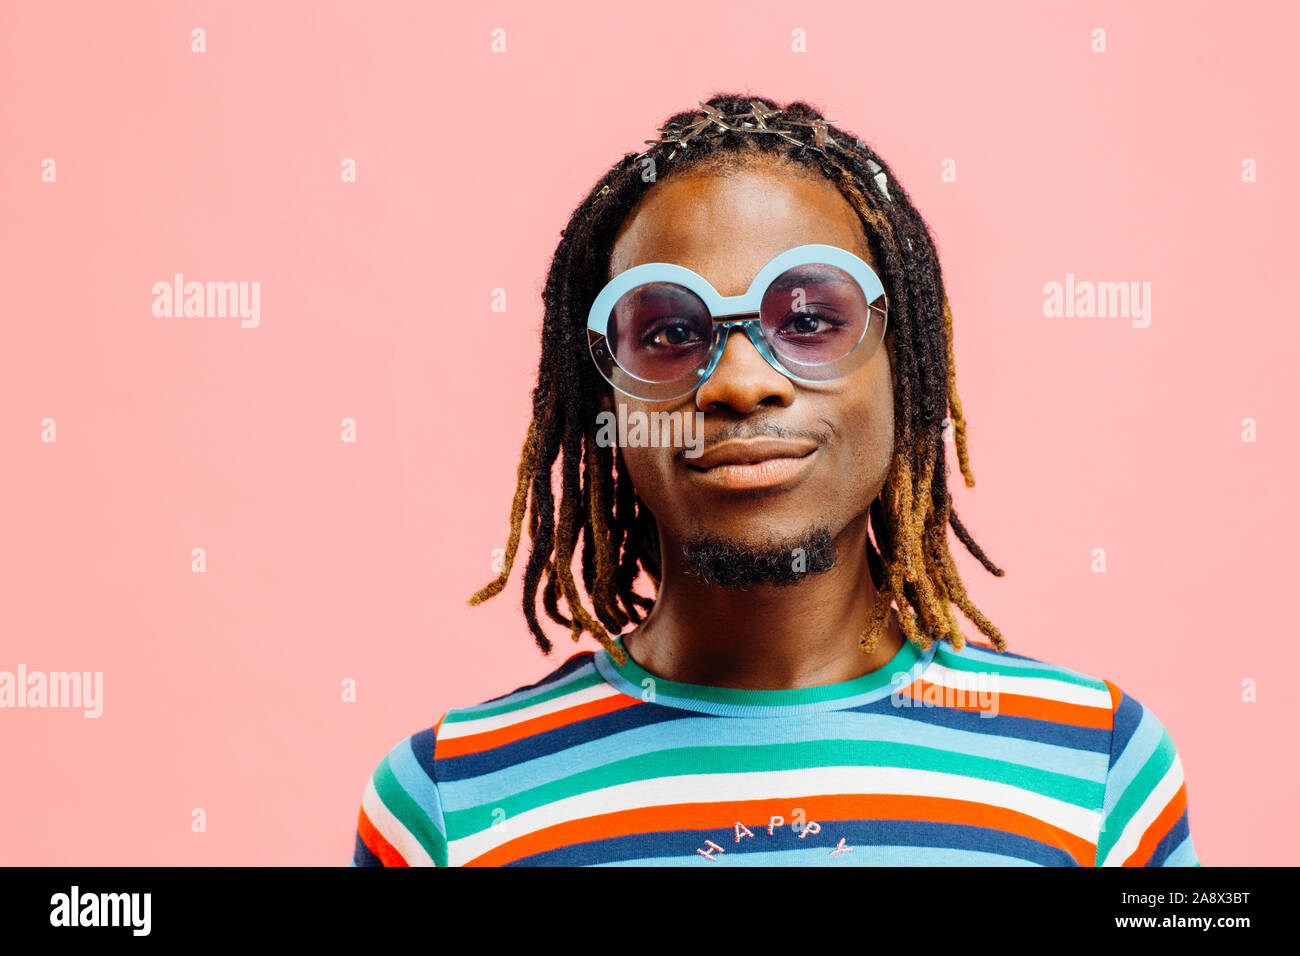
<point>909,561</point>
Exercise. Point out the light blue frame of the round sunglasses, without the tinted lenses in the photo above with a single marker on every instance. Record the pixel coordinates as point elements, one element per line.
<point>733,312</point>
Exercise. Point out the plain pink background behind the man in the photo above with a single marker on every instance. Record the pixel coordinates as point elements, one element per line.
<point>331,561</point>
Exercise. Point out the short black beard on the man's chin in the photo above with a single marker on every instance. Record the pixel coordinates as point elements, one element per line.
<point>740,565</point>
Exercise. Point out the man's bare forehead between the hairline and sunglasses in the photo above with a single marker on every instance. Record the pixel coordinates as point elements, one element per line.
<point>726,227</point>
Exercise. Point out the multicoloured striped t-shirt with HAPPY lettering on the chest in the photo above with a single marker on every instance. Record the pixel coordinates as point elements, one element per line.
<point>942,758</point>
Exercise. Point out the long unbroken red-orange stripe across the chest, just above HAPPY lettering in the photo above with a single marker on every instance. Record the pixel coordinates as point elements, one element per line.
<point>714,816</point>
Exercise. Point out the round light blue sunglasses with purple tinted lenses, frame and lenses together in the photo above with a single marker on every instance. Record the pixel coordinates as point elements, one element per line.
<point>814,313</point>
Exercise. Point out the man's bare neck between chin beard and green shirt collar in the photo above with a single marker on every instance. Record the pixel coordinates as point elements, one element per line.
<point>766,637</point>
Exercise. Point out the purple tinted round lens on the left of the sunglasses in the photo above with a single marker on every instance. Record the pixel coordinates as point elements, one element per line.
<point>660,332</point>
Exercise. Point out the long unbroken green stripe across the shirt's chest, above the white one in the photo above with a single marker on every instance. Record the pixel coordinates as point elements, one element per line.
<point>691,762</point>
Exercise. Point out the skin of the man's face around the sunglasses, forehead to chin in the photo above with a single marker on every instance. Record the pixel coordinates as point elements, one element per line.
<point>818,455</point>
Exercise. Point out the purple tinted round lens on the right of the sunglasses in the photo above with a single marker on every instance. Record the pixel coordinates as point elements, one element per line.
<point>814,314</point>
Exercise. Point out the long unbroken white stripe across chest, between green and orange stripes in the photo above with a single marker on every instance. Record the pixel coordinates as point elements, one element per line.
<point>796,785</point>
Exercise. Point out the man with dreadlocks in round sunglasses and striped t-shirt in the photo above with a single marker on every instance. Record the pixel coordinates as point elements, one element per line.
<point>772,282</point>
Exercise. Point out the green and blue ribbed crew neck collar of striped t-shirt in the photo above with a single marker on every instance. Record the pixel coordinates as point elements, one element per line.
<point>634,681</point>
